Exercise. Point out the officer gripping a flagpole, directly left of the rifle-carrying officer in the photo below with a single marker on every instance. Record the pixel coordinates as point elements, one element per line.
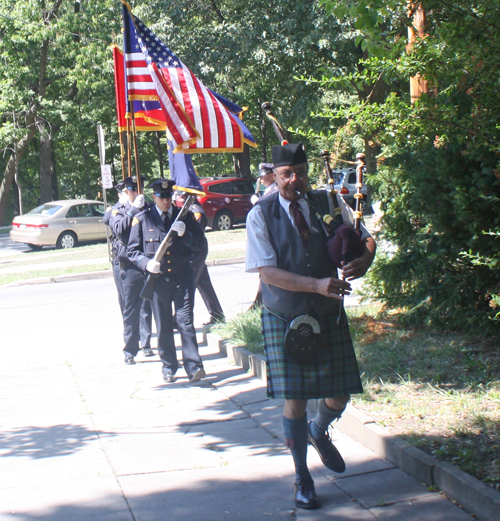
<point>136,312</point>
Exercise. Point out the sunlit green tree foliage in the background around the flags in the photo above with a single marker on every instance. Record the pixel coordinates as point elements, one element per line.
<point>250,53</point>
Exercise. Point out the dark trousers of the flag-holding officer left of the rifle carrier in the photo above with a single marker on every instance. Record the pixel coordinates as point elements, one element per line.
<point>137,312</point>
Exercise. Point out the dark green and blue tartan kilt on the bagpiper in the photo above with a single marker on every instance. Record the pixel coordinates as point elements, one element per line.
<point>335,373</point>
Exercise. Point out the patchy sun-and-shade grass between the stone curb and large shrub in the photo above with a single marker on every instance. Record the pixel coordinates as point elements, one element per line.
<point>438,390</point>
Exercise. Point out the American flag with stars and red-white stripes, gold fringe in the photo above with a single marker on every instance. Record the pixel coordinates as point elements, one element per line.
<point>197,120</point>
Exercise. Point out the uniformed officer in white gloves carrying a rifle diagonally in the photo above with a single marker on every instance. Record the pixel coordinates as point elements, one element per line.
<point>175,283</point>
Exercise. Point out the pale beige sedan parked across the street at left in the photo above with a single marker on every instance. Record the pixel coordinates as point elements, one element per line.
<point>60,223</point>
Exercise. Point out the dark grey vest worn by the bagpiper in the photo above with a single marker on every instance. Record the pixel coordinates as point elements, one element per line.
<point>293,257</point>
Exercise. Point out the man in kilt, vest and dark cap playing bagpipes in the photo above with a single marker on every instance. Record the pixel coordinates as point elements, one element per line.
<point>287,245</point>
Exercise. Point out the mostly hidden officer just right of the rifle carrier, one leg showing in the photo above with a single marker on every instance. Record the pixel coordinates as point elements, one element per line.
<point>201,276</point>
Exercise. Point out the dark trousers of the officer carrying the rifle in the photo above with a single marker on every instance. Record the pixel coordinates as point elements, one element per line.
<point>180,292</point>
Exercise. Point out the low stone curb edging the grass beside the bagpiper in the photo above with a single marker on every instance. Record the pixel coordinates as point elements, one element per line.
<point>470,493</point>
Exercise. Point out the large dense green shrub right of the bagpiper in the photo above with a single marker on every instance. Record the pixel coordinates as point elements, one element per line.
<point>437,173</point>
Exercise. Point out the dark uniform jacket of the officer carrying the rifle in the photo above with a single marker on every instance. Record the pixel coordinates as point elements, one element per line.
<point>147,233</point>
